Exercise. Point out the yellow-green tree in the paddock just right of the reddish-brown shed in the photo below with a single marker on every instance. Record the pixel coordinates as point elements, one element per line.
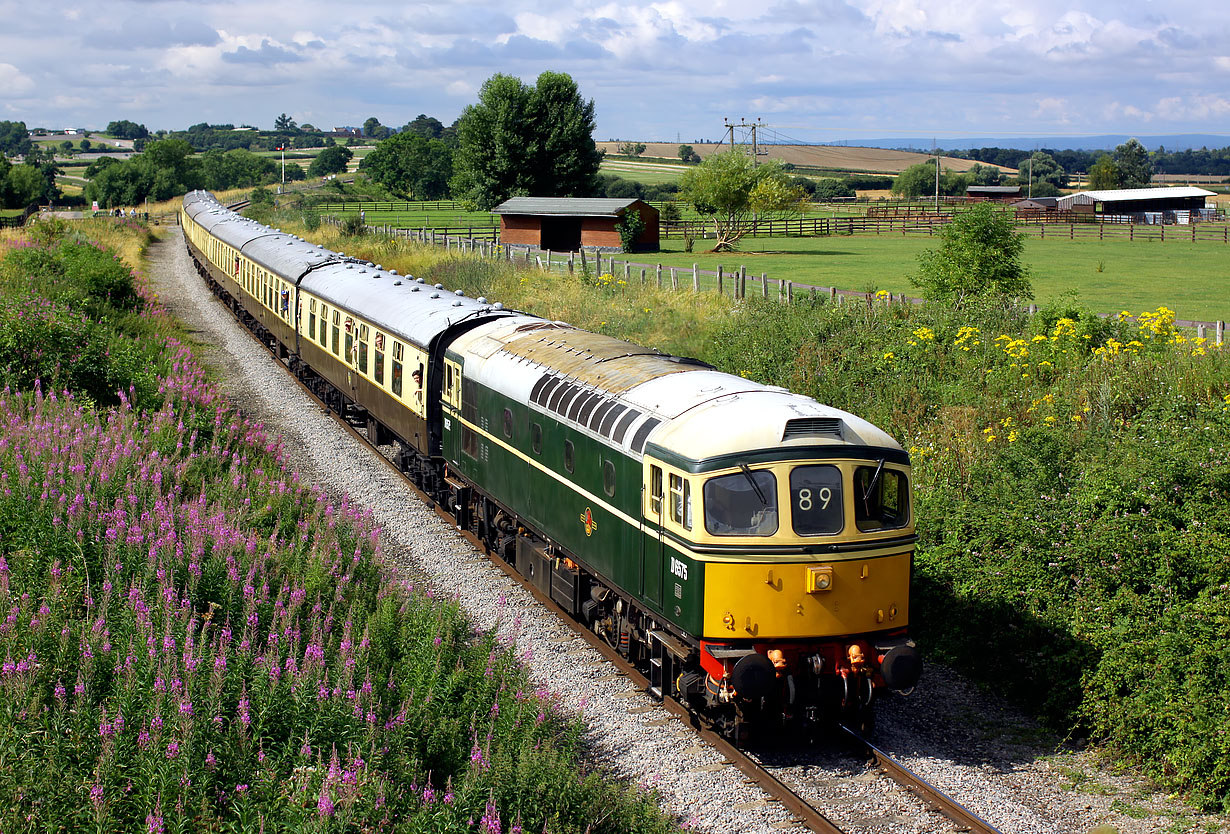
<point>731,190</point>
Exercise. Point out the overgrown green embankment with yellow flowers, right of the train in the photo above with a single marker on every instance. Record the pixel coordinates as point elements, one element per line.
<point>1073,488</point>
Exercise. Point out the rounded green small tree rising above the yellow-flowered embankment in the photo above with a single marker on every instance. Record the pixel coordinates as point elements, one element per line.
<point>980,255</point>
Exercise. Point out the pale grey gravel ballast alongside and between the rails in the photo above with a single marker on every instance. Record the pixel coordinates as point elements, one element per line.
<point>972,747</point>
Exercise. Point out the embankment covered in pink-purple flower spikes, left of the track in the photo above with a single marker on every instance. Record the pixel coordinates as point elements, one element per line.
<point>196,640</point>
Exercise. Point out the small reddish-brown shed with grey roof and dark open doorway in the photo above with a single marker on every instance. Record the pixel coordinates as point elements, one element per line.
<point>571,223</point>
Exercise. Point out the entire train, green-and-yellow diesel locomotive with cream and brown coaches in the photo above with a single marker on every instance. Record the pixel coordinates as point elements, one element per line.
<point>750,548</point>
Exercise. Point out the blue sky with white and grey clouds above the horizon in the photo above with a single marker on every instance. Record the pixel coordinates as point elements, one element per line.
<point>812,71</point>
